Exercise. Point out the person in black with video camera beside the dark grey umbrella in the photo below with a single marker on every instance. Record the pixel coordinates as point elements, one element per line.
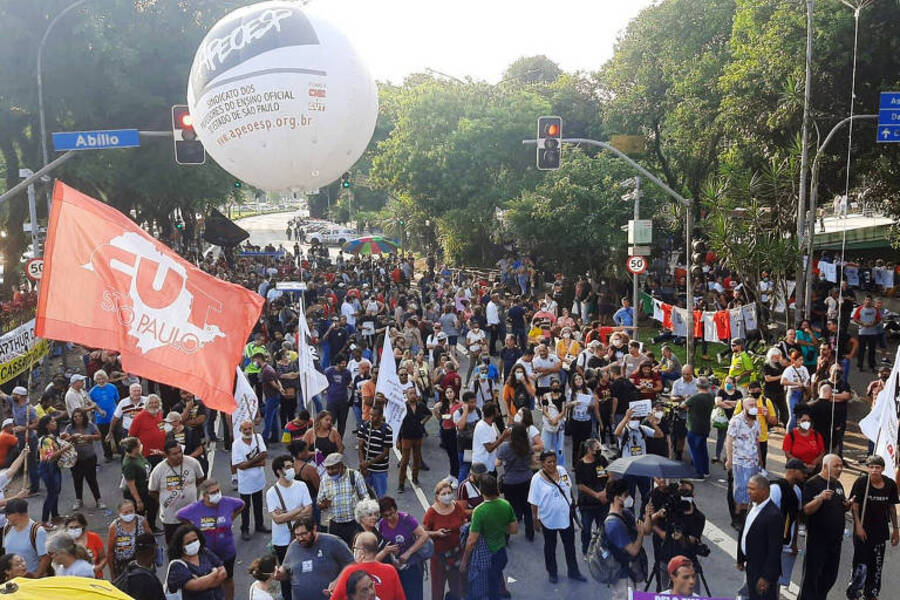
<point>678,529</point>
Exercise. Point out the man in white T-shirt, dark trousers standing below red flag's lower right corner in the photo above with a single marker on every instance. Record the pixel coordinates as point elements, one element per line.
<point>248,456</point>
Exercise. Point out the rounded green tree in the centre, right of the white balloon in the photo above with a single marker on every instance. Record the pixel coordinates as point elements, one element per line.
<point>456,154</point>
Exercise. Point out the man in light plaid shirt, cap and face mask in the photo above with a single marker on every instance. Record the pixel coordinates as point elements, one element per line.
<point>338,496</point>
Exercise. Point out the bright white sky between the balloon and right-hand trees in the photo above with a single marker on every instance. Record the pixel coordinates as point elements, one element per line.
<point>478,39</point>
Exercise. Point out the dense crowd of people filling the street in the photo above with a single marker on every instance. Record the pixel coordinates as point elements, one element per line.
<point>504,369</point>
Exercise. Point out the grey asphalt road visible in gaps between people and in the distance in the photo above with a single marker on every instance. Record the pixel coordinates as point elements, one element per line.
<point>526,576</point>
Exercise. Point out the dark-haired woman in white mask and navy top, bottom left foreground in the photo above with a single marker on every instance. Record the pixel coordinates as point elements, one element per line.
<point>193,569</point>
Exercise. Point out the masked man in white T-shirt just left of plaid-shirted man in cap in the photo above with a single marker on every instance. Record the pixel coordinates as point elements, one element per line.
<point>287,501</point>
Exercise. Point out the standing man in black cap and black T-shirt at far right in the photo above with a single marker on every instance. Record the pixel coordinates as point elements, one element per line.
<point>874,509</point>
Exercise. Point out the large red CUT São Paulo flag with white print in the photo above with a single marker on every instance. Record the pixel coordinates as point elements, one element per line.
<point>109,284</point>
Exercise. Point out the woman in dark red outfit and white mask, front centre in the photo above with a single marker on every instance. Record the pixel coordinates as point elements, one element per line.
<point>442,522</point>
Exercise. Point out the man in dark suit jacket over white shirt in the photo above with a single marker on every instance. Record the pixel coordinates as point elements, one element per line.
<point>759,549</point>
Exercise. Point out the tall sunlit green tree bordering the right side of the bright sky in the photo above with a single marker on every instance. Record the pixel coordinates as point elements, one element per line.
<point>661,83</point>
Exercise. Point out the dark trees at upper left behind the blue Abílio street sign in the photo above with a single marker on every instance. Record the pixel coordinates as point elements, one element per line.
<point>106,66</point>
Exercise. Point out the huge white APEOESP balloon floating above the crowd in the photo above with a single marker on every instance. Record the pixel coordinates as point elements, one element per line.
<point>280,99</point>
